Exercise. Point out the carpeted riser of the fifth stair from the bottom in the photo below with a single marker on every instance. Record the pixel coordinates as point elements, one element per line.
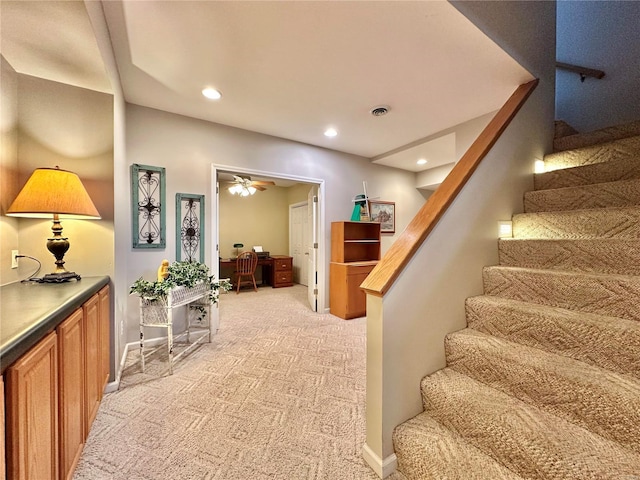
<point>603,294</point>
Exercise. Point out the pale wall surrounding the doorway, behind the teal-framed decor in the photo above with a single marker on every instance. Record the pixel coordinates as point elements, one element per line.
<point>188,147</point>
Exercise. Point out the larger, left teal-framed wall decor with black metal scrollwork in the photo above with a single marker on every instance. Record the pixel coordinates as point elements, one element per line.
<point>148,206</point>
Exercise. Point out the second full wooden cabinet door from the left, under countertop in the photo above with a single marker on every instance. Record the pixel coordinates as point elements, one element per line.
<point>71,373</point>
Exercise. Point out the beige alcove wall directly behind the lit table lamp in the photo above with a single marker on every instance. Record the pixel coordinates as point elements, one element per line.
<point>70,127</point>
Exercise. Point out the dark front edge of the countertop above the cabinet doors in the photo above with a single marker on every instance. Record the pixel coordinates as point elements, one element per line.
<point>47,324</point>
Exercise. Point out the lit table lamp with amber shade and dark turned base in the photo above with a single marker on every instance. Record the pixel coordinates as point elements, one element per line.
<point>58,193</point>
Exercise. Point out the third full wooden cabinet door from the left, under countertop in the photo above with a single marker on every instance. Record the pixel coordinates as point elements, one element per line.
<point>93,367</point>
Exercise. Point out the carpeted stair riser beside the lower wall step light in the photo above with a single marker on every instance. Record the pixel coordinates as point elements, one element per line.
<point>614,222</point>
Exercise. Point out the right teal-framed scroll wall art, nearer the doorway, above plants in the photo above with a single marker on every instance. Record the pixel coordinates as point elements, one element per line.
<point>189,227</point>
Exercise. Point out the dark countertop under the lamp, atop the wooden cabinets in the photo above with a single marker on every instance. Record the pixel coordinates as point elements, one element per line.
<point>28,311</point>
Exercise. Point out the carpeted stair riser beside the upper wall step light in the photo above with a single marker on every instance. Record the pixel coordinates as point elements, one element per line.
<point>623,148</point>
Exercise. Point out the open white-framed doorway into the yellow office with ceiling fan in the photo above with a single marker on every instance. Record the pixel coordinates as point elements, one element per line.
<point>261,220</point>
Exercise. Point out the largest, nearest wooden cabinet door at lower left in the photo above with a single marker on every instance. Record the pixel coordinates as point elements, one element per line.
<point>32,413</point>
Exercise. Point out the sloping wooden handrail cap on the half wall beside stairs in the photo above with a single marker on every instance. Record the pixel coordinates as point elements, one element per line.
<point>392,263</point>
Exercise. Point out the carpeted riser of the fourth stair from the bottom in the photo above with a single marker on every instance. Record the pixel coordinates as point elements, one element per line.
<point>607,342</point>
